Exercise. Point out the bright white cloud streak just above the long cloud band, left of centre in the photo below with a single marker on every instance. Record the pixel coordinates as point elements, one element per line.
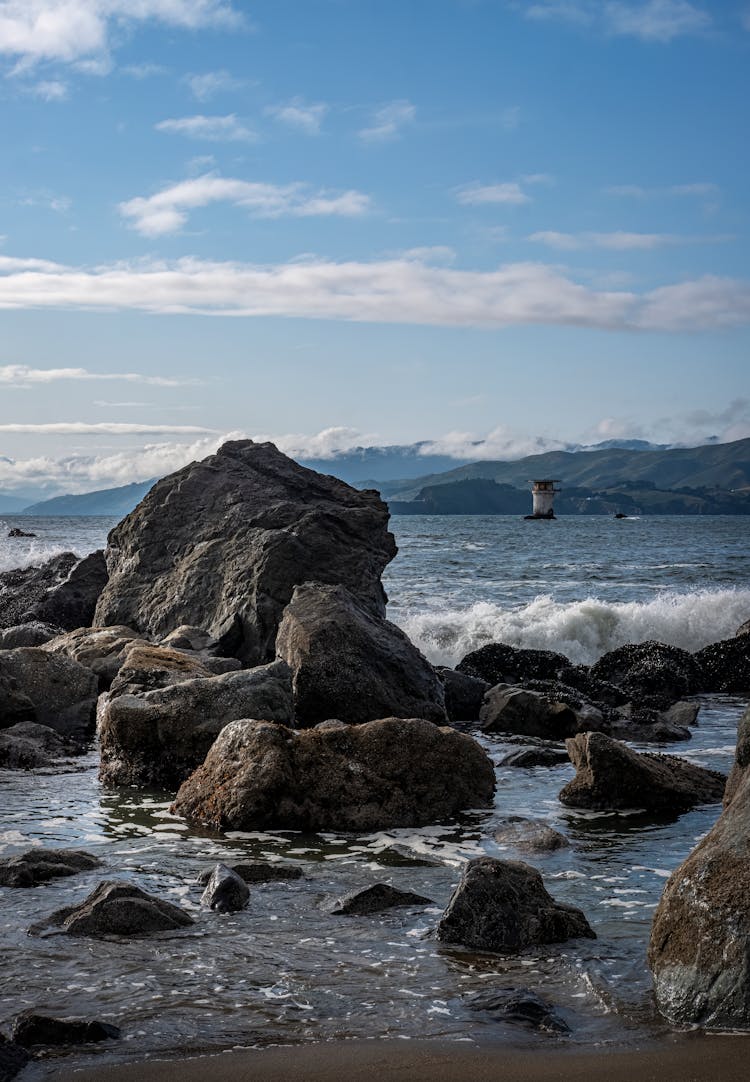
<point>168,210</point>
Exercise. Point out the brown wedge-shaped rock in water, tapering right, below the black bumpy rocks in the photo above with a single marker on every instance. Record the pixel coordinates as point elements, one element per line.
<point>612,776</point>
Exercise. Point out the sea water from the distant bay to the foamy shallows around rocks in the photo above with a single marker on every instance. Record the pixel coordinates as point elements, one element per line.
<point>285,970</point>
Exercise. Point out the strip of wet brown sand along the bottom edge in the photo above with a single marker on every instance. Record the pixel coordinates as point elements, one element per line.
<point>683,1059</point>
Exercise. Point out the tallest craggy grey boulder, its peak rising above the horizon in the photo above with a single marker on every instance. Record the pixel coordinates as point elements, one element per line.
<point>222,544</point>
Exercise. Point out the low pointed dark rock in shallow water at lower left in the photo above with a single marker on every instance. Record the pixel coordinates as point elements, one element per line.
<point>116,908</point>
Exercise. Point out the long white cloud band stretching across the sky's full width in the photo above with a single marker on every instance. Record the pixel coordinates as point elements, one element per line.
<point>388,292</point>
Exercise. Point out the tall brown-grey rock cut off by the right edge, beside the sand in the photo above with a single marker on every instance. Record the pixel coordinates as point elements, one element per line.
<point>701,936</point>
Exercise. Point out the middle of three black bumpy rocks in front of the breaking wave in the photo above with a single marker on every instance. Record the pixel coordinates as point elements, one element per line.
<point>653,674</point>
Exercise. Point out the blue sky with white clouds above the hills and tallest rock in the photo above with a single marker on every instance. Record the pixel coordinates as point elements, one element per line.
<point>345,222</point>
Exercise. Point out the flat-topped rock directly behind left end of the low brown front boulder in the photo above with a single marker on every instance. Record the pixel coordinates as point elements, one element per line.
<point>161,737</point>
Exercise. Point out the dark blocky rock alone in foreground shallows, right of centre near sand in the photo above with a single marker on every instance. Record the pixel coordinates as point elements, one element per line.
<point>503,906</point>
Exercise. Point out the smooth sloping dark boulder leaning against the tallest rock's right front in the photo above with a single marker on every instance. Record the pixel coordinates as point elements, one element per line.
<point>352,665</point>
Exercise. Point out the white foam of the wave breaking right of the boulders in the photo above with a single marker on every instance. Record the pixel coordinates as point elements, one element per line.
<point>584,630</point>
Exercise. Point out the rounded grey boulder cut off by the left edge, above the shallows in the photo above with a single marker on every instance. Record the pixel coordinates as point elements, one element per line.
<point>62,693</point>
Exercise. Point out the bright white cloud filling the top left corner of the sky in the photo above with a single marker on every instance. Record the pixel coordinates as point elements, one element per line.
<point>71,31</point>
